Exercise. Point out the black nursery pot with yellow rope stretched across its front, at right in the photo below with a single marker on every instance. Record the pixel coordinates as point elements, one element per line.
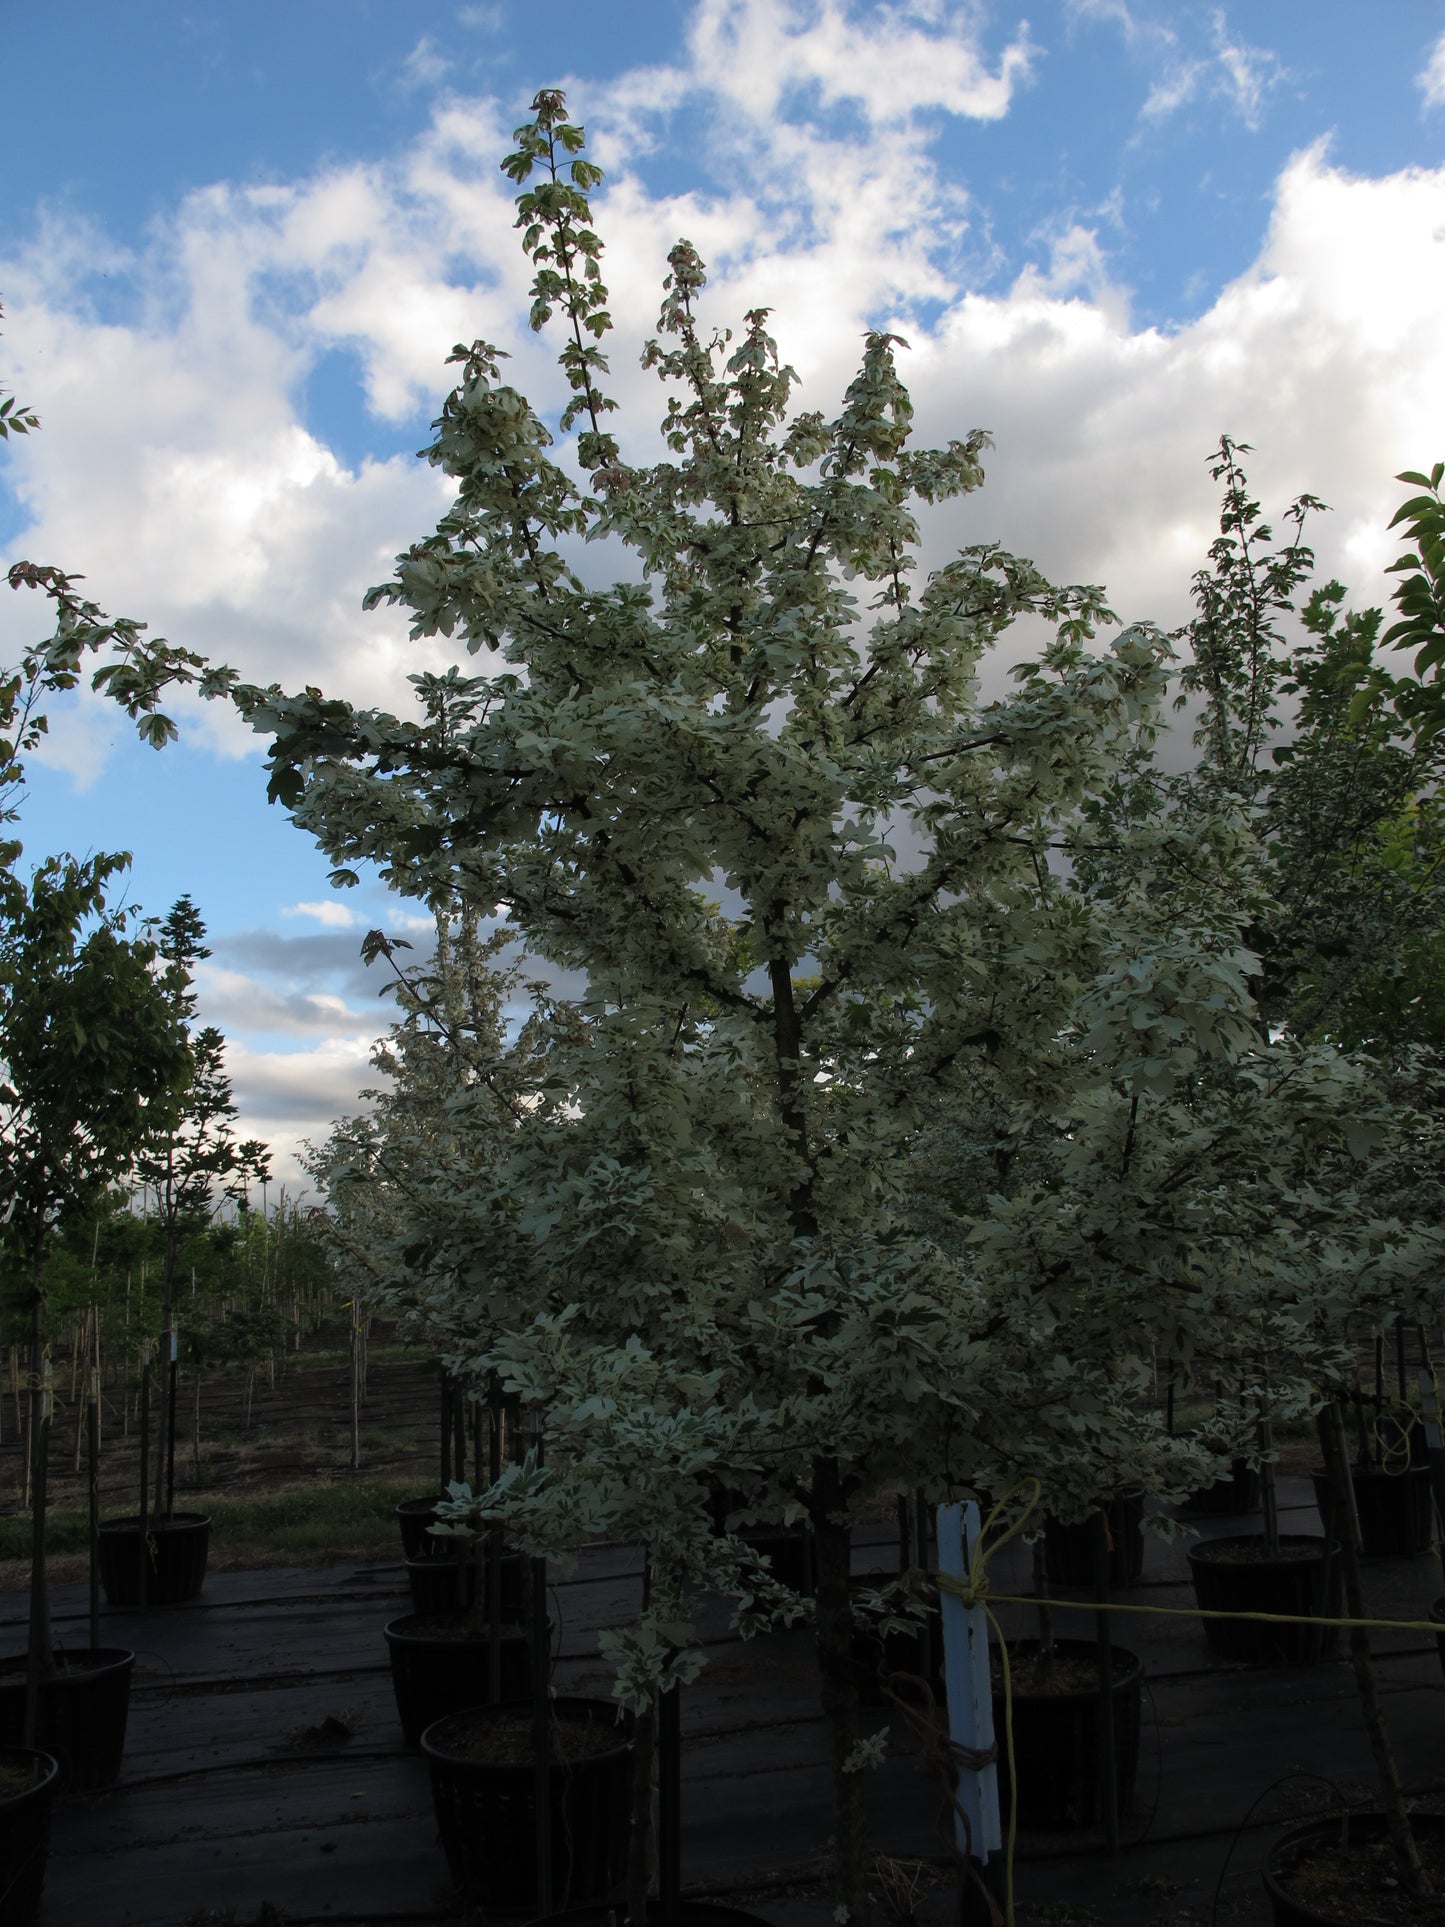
<point>1234,1575</point>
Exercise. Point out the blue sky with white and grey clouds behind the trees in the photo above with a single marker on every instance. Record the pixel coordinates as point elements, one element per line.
<point>238,246</point>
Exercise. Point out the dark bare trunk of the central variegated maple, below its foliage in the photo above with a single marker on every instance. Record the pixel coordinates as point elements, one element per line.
<point>839,1693</point>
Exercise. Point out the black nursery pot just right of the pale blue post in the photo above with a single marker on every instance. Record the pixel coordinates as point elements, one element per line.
<point>1057,1735</point>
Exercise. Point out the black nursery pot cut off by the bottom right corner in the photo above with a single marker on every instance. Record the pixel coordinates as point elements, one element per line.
<point>1340,1872</point>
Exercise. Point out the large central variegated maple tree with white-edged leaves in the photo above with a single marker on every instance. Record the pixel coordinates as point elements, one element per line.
<point>824,922</point>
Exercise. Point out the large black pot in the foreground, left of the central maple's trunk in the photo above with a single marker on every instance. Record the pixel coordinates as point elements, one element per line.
<point>485,1795</point>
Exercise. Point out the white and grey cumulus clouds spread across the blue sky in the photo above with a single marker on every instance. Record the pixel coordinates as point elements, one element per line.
<point>182,473</point>
